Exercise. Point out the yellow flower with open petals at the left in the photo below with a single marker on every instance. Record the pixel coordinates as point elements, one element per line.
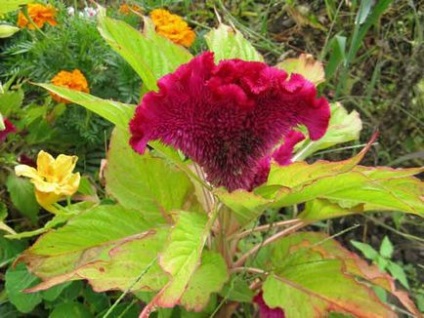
<point>53,179</point>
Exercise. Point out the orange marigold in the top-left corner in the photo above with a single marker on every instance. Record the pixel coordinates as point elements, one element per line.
<point>40,14</point>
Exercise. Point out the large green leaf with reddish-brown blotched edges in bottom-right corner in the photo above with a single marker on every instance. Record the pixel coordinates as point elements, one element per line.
<point>313,274</point>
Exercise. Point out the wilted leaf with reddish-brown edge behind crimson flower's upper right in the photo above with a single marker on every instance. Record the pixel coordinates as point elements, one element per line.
<point>306,66</point>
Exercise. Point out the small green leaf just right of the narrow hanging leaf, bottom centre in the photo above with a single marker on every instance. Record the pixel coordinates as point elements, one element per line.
<point>208,278</point>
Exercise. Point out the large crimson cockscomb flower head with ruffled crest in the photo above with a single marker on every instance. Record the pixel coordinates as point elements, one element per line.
<point>229,117</point>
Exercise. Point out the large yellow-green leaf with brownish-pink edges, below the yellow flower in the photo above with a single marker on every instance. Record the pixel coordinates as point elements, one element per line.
<point>112,247</point>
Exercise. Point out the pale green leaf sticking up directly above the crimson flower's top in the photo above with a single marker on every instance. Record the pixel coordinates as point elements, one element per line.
<point>228,43</point>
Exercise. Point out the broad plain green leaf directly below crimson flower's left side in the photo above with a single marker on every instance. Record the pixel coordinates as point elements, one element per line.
<point>143,182</point>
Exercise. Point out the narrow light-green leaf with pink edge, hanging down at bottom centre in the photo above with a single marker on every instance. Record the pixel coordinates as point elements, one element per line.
<point>181,257</point>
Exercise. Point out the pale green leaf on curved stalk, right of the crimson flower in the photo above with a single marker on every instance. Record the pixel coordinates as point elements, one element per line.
<point>343,127</point>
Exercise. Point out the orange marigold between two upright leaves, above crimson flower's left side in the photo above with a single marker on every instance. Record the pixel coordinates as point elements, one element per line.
<point>172,27</point>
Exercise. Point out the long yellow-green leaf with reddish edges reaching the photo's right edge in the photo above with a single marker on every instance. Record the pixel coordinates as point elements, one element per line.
<point>332,189</point>
